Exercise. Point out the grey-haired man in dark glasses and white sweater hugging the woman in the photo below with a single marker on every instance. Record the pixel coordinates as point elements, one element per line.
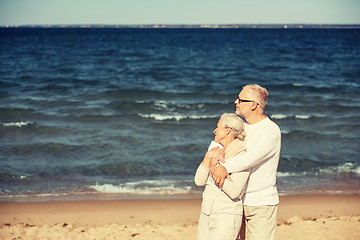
<point>263,142</point>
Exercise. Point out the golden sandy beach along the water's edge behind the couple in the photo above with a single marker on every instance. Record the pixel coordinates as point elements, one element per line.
<point>300,217</point>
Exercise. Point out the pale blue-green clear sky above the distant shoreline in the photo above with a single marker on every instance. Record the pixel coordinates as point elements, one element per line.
<point>118,12</point>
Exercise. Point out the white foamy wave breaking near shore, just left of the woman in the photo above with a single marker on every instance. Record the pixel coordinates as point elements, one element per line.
<point>146,187</point>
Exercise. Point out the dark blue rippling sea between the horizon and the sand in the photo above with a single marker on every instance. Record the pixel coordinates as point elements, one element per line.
<point>128,113</point>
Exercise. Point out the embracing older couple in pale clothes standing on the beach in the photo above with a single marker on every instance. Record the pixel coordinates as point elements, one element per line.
<point>239,173</point>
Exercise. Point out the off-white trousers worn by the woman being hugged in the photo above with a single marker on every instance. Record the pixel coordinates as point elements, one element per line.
<point>219,226</point>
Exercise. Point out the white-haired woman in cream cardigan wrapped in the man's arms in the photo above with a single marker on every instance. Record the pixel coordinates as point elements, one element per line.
<point>221,208</point>
